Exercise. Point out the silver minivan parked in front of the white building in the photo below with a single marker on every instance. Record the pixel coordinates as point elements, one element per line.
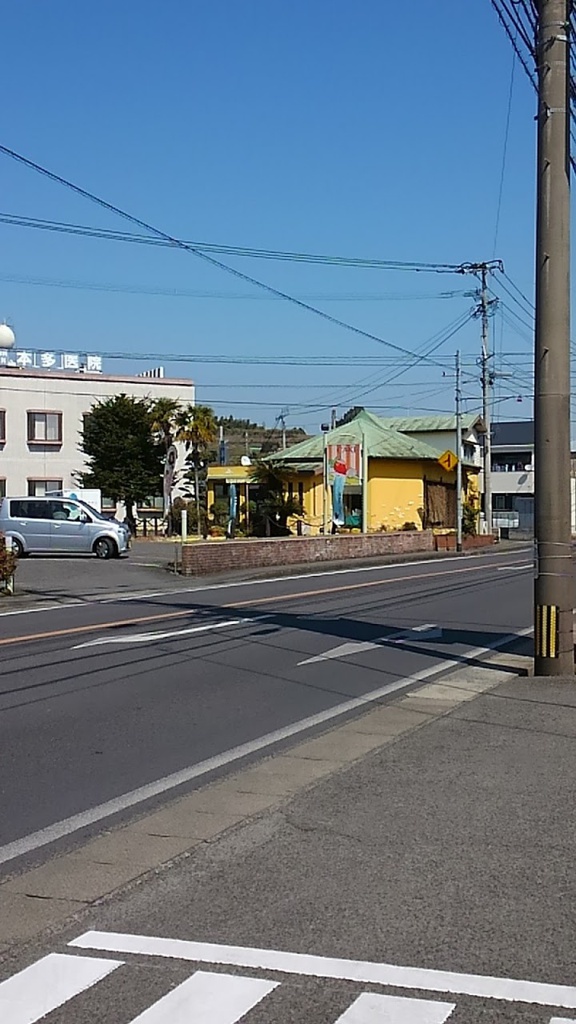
<point>61,526</point>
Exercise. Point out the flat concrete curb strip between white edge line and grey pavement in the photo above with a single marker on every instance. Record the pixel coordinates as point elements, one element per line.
<point>44,899</point>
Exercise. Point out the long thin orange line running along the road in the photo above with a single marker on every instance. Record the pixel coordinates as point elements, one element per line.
<point>302,595</point>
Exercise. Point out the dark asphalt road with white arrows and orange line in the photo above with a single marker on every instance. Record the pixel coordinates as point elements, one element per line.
<point>103,699</point>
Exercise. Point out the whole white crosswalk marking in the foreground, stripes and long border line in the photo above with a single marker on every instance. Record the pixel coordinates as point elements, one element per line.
<point>217,998</point>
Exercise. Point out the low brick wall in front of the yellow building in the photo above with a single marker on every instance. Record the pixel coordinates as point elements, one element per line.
<point>204,559</point>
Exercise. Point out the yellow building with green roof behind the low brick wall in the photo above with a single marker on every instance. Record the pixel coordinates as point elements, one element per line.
<point>407,486</point>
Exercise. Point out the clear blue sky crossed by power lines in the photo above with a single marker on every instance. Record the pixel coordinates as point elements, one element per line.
<point>372,130</point>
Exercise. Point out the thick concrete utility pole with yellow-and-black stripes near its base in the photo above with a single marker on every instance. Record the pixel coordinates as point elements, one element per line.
<point>554,586</point>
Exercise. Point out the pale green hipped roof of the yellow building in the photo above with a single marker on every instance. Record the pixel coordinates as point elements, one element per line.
<point>382,442</point>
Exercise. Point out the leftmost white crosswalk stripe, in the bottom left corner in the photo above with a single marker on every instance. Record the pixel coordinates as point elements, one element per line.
<point>49,985</point>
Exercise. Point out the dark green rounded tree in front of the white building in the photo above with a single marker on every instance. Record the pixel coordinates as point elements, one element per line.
<point>126,455</point>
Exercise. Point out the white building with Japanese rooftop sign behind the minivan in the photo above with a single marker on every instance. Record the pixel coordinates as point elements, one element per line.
<point>44,400</point>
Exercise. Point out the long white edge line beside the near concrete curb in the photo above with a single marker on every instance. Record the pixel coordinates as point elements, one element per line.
<point>35,841</point>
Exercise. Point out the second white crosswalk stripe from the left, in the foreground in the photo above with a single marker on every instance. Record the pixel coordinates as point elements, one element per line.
<point>208,999</point>
